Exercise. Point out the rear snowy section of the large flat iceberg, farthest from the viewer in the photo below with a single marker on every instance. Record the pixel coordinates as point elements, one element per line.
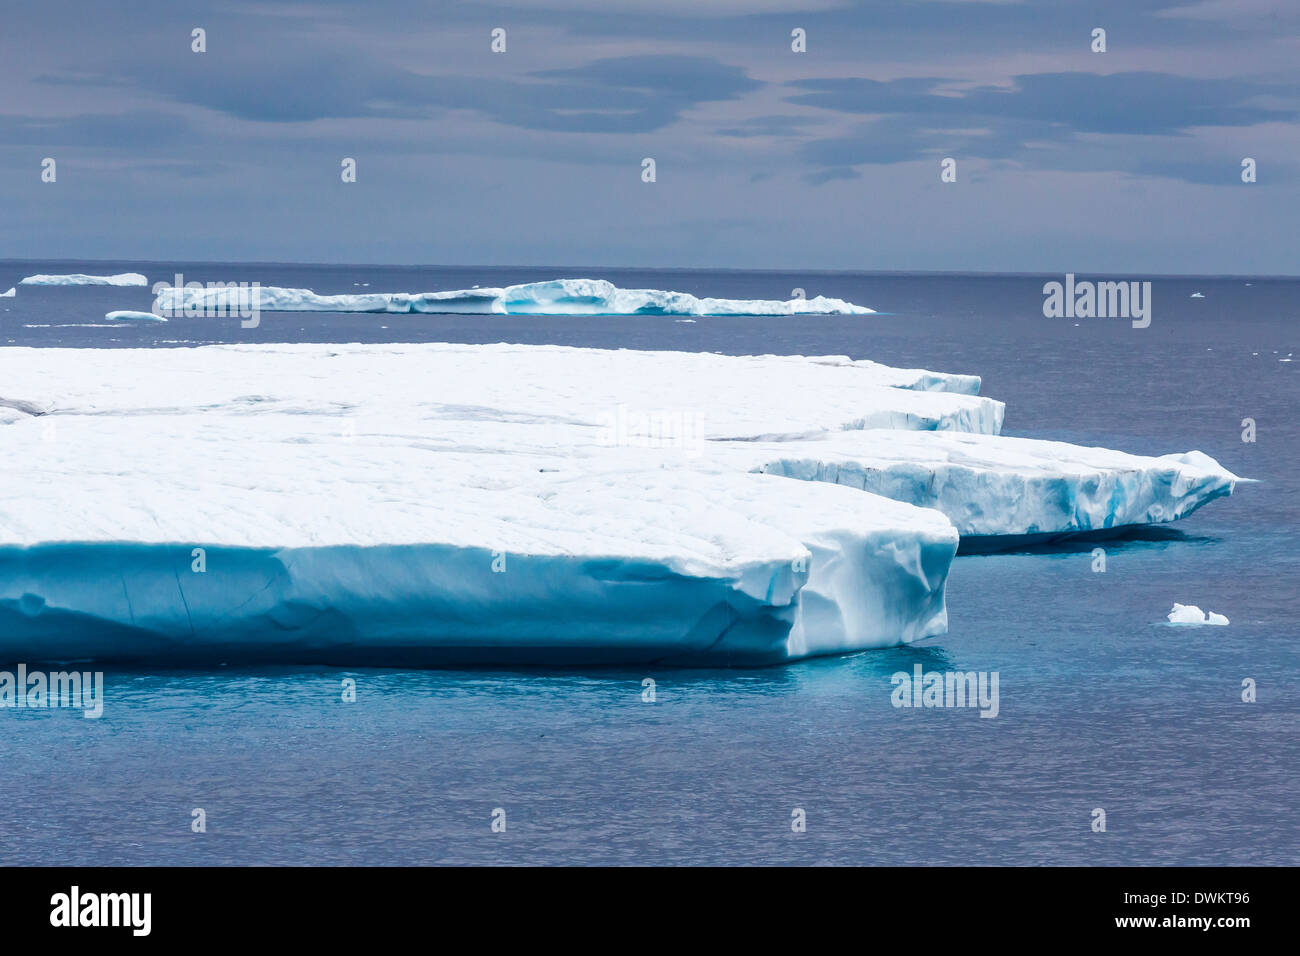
<point>723,397</point>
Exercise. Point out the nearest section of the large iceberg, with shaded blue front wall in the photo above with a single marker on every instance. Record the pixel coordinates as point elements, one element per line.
<point>380,550</point>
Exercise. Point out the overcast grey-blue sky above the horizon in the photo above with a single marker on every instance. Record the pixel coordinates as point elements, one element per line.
<point>1124,162</point>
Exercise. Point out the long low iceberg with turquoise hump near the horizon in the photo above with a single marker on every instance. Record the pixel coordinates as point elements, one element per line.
<point>557,297</point>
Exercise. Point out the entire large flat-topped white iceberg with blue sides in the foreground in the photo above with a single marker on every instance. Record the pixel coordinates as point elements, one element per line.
<point>497,504</point>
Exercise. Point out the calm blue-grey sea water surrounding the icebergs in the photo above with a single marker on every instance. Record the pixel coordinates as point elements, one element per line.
<point>1102,704</point>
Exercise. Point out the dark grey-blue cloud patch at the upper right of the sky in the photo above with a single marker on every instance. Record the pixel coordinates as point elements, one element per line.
<point>1047,120</point>
